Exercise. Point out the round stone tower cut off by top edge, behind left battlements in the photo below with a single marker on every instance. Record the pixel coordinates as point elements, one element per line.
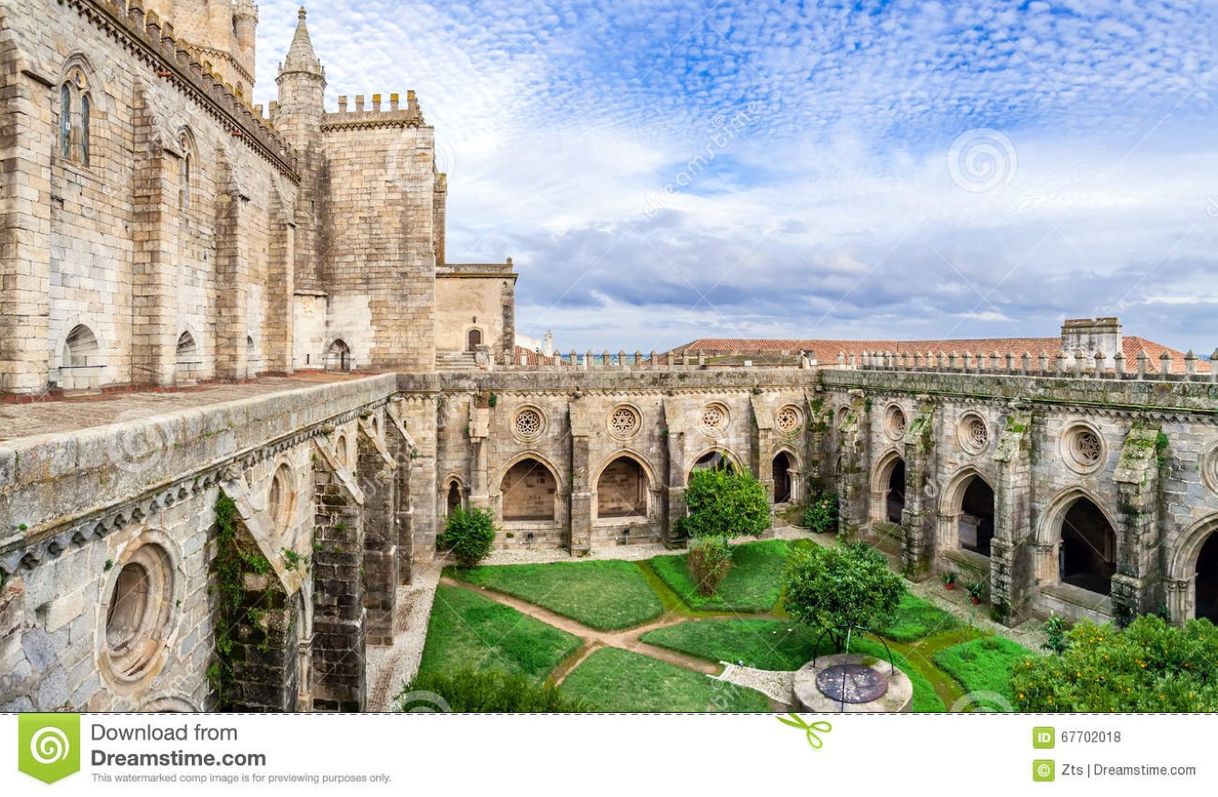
<point>220,34</point>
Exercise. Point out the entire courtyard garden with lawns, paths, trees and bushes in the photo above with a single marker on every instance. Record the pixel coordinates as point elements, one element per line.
<point>725,626</point>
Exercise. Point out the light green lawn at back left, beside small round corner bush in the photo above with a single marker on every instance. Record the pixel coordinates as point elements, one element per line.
<point>605,595</point>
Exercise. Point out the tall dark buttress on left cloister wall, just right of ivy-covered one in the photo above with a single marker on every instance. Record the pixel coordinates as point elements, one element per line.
<point>339,617</point>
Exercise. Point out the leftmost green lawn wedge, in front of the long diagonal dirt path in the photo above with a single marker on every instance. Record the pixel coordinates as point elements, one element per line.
<point>468,631</point>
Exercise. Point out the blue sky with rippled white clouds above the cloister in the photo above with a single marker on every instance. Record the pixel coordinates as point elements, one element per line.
<point>664,171</point>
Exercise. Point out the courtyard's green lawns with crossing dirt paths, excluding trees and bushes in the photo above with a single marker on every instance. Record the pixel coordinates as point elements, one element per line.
<point>639,637</point>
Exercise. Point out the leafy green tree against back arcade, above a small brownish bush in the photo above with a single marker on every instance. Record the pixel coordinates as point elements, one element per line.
<point>727,505</point>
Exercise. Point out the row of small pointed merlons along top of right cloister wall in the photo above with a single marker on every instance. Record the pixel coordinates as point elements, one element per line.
<point>1189,369</point>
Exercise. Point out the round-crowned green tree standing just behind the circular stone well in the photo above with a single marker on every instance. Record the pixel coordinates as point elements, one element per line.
<point>836,589</point>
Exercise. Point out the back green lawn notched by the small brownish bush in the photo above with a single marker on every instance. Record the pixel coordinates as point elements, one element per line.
<point>755,583</point>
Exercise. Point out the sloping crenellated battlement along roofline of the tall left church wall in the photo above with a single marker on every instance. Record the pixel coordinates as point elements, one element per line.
<point>155,41</point>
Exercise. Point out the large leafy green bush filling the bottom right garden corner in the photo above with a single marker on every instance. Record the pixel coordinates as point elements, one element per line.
<point>1148,667</point>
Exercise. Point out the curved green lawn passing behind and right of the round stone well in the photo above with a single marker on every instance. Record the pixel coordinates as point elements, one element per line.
<point>776,645</point>
